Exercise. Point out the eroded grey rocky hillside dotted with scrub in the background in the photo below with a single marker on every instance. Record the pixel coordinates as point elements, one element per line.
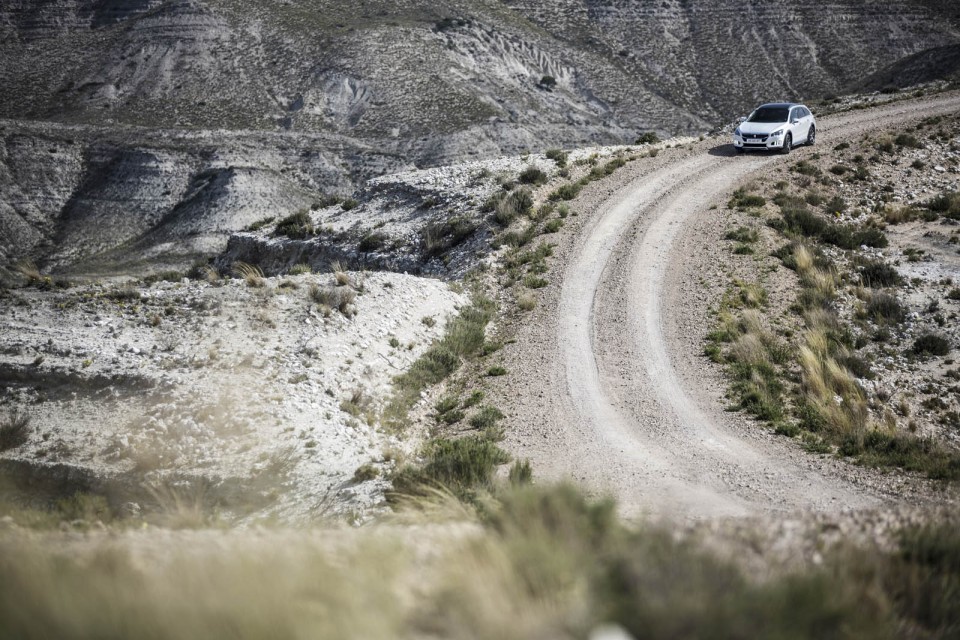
<point>143,133</point>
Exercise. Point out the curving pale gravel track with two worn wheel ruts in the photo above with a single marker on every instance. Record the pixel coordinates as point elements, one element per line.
<point>615,393</point>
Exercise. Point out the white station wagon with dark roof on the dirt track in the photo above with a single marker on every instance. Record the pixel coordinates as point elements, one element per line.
<point>778,125</point>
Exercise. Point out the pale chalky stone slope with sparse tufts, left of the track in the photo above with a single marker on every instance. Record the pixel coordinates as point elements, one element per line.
<point>220,381</point>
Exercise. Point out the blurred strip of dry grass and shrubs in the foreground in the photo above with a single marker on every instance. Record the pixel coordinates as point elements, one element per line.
<point>534,562</point>
